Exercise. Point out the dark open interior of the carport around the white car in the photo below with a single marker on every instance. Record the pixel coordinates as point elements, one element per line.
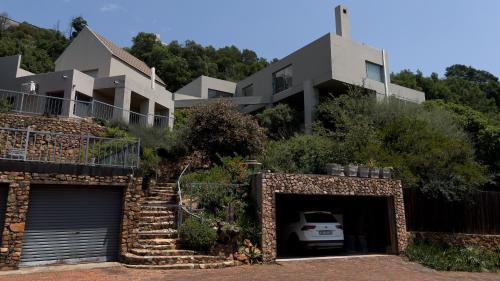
<point>364,220</point>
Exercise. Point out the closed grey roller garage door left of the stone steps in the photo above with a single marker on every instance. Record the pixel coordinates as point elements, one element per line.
<point>71,225</point>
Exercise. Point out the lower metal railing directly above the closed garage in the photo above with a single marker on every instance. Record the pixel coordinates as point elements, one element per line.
<point>36,146</point>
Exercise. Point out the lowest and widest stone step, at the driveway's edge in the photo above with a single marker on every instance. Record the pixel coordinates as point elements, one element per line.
<point>130,258</point>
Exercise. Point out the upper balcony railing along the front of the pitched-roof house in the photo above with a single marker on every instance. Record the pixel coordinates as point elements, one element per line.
<point>55,106</point>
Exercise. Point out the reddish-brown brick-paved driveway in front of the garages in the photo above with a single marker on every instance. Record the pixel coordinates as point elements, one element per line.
<point>367,268</point>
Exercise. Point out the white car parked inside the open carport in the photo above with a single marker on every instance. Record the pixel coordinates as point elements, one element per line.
<point>314,229</point>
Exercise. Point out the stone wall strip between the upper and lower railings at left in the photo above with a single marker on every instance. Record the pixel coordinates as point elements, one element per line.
<point>75,126</point>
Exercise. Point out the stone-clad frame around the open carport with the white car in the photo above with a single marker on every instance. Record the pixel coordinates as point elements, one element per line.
<point>267,185</point>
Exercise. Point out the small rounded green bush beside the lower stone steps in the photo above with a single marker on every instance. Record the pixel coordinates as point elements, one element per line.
<point>198,235</point>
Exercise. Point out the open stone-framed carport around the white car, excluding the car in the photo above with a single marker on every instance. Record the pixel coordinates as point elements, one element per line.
<point>371,211</point>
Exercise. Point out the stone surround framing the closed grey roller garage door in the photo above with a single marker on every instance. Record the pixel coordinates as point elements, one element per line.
<point>17,207</point>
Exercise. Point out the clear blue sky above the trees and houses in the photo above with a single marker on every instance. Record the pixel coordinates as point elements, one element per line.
<point>428,35</point>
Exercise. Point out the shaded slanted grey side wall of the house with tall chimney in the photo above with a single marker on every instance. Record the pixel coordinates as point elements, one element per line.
<point>312,62</point>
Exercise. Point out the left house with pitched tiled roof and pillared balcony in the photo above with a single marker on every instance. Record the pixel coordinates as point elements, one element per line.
<point>93,78</point>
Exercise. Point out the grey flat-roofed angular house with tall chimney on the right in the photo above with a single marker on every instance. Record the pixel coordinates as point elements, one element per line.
<point>324,66</point>
